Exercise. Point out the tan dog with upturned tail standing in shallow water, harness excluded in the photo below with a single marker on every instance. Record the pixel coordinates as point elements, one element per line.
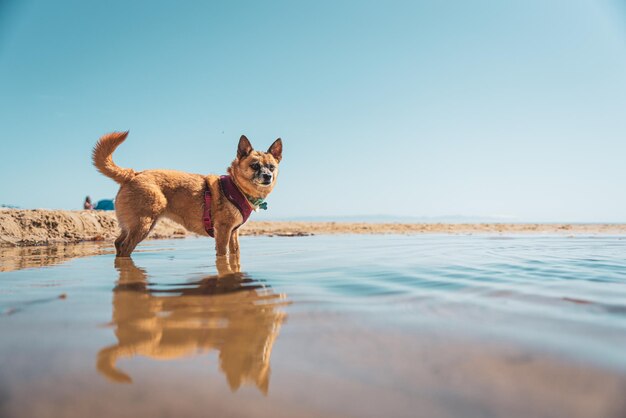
<point>146,196</point>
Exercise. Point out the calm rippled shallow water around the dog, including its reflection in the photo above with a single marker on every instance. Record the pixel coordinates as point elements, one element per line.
<point>350,326</point>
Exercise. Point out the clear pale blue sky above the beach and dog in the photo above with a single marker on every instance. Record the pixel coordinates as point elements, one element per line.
<point>425,108</point>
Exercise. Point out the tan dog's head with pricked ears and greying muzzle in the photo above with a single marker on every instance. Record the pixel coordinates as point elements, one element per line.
<point>255,171</point>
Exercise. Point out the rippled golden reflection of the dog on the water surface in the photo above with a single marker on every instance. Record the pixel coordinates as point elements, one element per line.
<point>230,312</point>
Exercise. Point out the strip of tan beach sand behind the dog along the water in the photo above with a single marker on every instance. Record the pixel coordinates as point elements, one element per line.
<point>43,227</point>
